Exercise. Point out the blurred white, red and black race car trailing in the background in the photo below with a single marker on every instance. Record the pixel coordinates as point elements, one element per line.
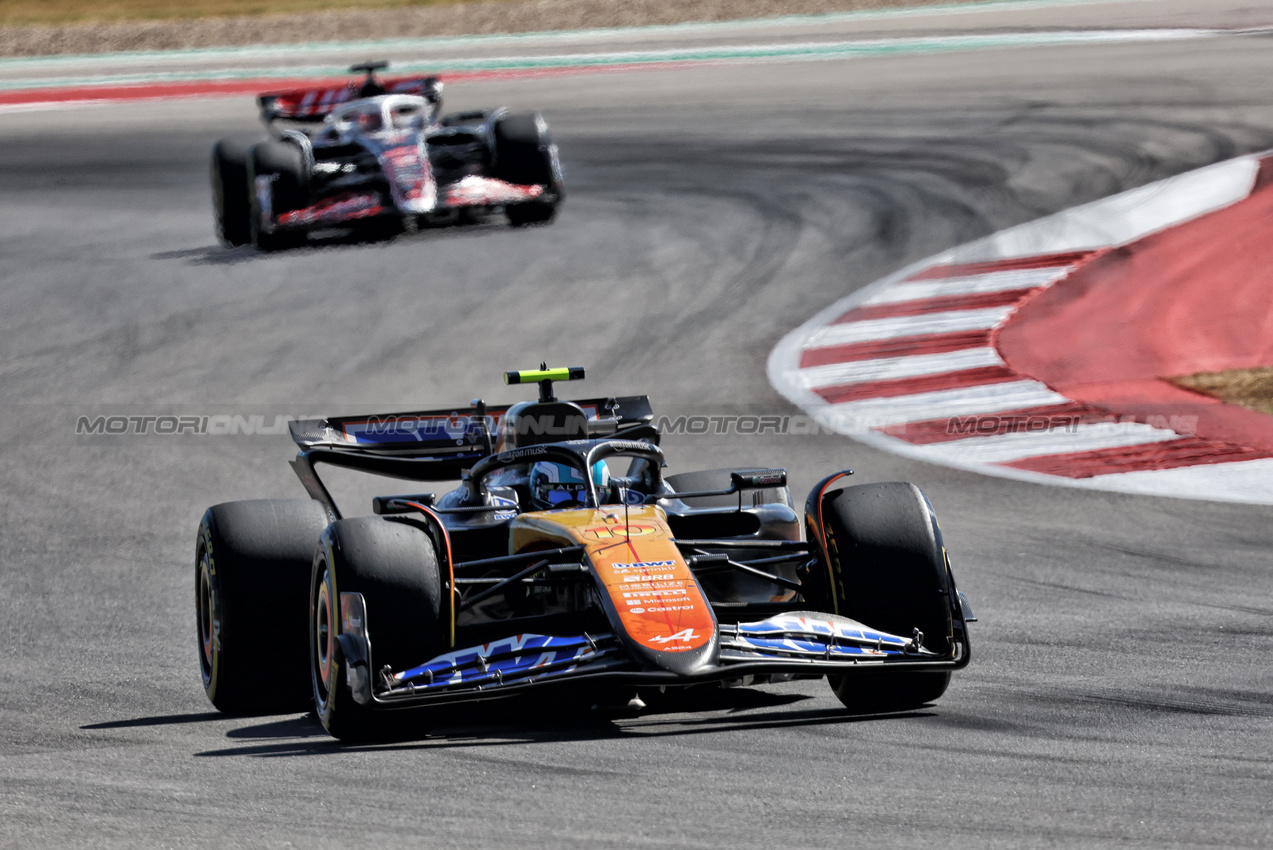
<point>380,153</point>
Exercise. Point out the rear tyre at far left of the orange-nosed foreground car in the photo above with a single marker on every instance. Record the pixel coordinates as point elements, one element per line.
<point>251,571</point>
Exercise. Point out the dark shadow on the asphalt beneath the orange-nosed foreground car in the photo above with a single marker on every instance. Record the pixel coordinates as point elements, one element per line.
<point>509,723</point>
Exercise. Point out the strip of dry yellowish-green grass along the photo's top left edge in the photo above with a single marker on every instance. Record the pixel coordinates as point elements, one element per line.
<point>15,13</point>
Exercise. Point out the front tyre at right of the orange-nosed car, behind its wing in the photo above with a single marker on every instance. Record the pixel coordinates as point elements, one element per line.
<point>893,569</point>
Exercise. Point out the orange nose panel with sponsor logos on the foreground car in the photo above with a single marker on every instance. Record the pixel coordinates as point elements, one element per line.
<point>651,590</point>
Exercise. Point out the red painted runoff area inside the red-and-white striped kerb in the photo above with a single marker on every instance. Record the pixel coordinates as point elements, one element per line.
<point>1191,298</point>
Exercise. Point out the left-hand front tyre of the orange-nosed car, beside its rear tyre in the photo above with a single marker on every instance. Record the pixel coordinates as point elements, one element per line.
<point>394,566</point>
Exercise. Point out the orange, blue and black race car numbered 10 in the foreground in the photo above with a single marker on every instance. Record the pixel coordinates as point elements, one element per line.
<point>566,557</point>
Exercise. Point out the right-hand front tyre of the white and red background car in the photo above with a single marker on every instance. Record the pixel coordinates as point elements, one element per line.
<point>525,156</point>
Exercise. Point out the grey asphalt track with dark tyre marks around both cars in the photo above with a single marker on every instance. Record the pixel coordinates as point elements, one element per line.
<point>1121,693</point>
